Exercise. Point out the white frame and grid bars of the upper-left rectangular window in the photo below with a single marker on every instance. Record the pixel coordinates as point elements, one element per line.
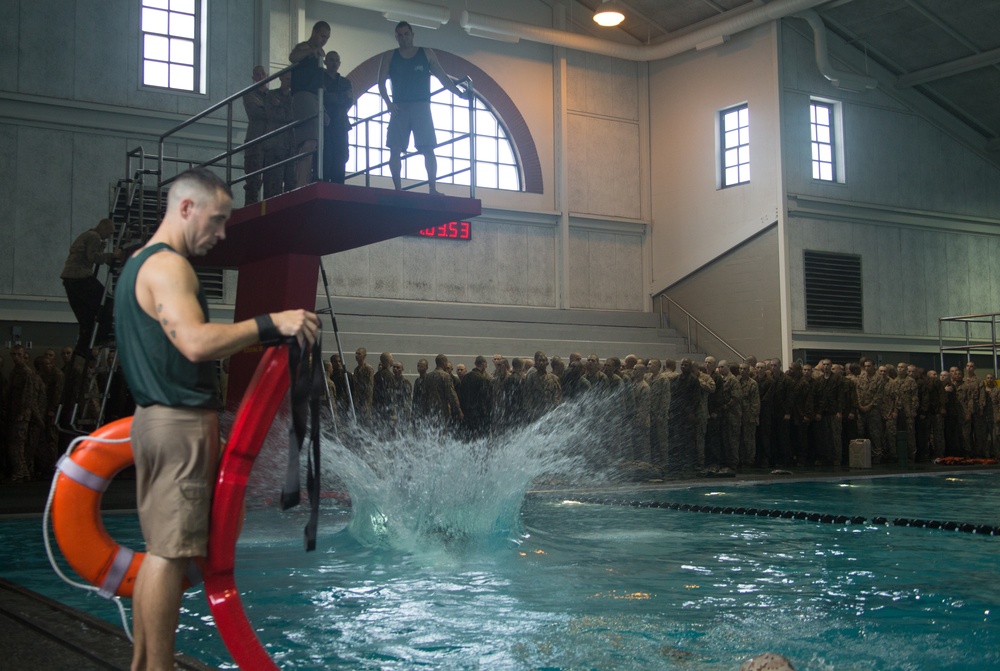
<point>174,38</point>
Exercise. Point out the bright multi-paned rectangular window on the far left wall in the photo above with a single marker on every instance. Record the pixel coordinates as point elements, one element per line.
<point>173,38</point>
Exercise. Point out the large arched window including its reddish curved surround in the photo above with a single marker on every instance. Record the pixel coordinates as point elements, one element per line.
<point>506,156</point>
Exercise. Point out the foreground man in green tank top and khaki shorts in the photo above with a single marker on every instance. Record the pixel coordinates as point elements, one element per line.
<point>167,348</point>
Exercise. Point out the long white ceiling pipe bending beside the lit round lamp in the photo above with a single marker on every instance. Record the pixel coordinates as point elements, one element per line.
<point>483,25</point>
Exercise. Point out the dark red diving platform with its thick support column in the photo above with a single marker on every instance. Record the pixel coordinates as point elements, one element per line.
<point>277,244</point>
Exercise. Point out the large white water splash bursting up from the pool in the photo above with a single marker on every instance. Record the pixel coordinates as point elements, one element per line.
<point>422,490</point>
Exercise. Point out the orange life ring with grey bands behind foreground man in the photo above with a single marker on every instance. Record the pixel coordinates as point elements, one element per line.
<point>84,475</point>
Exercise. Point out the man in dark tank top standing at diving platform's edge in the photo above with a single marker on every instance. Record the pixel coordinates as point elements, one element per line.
<point>409,68</point>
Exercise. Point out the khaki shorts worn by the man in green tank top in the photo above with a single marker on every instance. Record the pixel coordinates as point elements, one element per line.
<point>176,460</point>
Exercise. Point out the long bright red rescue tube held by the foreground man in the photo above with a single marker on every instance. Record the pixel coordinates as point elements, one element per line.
<point>253,419</point>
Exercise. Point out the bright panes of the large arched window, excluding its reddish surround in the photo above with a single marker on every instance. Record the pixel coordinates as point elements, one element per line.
<point>497,166</point>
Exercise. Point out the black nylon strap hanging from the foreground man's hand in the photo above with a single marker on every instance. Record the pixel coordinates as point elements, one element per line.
<point>307,384</point>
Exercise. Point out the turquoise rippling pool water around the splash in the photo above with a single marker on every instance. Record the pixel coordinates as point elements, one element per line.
<point>590,586</point>
